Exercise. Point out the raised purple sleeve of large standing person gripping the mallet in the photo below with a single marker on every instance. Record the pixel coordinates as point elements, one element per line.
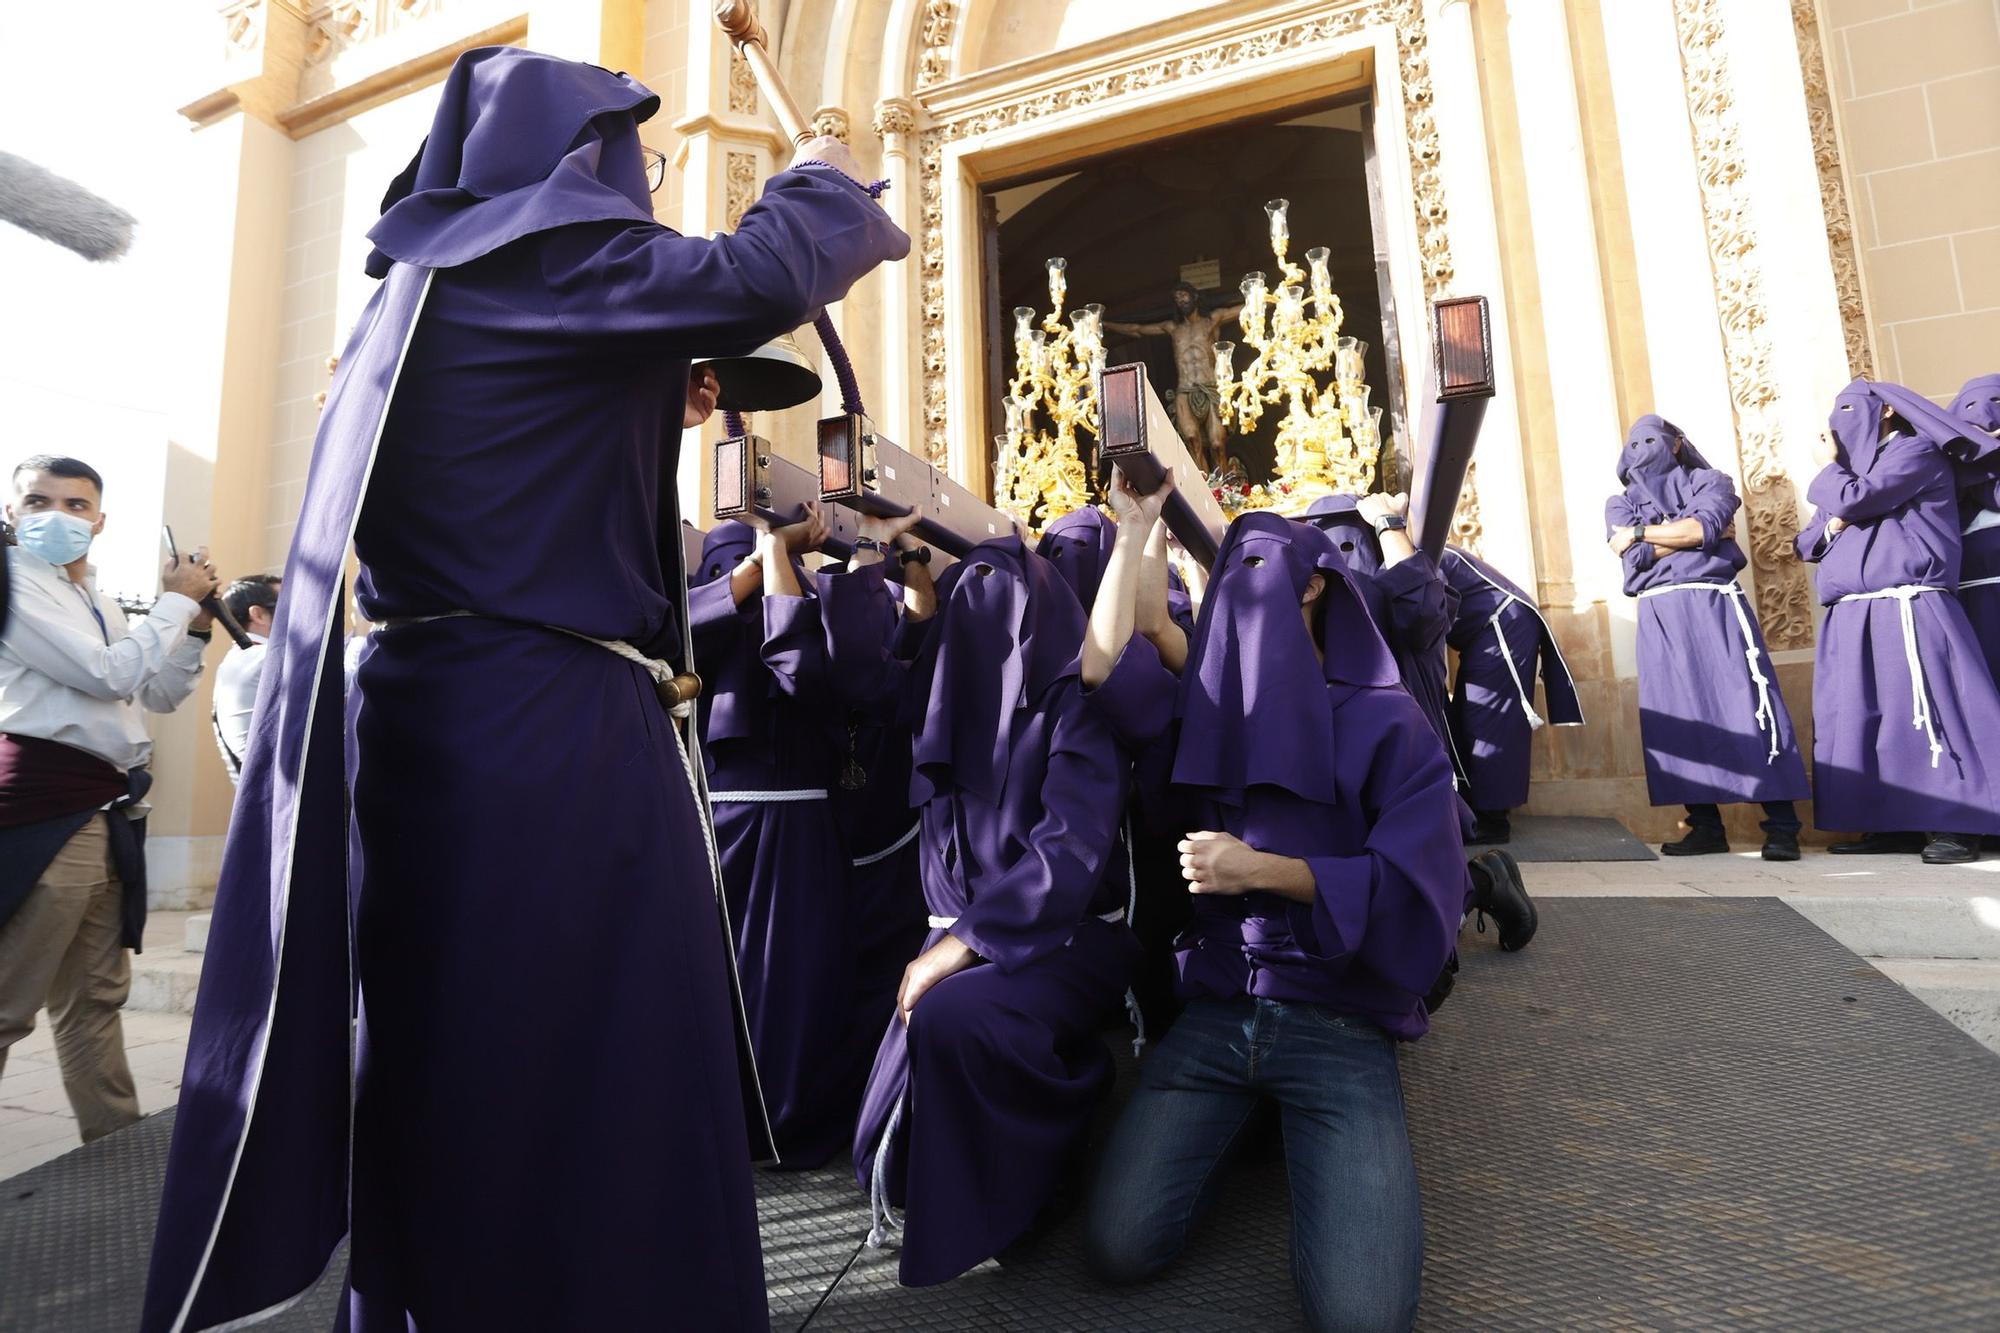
<point>797,251</point>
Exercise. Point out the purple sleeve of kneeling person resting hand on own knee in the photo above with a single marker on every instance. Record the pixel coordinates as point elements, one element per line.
<point>1033,908</point>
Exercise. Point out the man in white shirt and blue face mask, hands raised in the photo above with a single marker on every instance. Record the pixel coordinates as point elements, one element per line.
<point>73,752</point>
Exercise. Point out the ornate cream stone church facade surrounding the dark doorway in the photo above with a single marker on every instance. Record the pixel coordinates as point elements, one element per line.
<point>1709,209</point>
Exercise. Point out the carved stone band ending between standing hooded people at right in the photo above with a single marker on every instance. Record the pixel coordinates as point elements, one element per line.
<point>1771,511</point>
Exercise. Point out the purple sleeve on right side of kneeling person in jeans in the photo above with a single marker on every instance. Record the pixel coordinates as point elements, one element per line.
<point>1397,904</point>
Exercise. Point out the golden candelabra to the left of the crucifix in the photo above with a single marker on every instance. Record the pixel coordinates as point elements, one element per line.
<point>1057,367</point>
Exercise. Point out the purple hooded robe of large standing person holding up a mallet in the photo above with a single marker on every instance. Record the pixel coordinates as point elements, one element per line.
<point>499,441</point>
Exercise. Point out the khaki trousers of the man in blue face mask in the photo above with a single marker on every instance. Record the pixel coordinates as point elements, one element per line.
<point>63,948</point>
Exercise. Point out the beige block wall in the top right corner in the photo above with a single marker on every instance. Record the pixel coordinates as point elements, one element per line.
<point>1917,89</point>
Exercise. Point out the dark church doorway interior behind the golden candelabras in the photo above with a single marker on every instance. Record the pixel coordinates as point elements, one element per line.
<point>1191,213</point>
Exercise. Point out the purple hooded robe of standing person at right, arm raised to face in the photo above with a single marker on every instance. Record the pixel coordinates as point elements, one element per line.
<point>1905,708</point>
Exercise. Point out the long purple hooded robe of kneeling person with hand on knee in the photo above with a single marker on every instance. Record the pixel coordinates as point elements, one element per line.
<point>977,1112</point>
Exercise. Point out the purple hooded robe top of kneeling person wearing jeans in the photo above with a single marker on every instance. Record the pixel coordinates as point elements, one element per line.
<point>1317,758</point>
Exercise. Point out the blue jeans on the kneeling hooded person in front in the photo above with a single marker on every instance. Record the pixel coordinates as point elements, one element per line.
<point>1357,1220</point>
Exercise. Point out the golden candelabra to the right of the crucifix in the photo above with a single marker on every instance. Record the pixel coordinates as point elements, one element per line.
<point>1329,439</point>
